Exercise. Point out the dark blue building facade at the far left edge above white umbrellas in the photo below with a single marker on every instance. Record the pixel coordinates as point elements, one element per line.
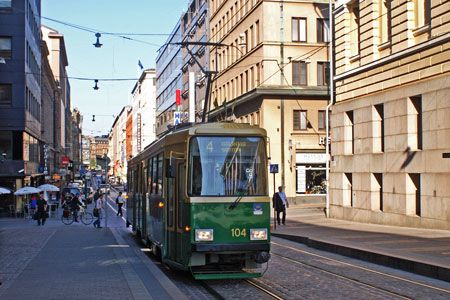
<point>20,97</point>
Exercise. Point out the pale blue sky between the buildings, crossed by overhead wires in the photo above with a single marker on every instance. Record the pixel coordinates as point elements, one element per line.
<point>118,58</point>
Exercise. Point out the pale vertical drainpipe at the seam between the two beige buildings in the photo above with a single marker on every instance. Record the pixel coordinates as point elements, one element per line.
<point>331,84</point>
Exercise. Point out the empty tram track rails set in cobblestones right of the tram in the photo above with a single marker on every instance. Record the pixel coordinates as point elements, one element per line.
<point>360,268</point>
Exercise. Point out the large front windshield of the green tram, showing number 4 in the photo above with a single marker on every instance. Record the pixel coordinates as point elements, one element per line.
<point>227,166</point>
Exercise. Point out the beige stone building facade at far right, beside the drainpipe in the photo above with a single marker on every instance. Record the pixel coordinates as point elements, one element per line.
<point>390,122</point>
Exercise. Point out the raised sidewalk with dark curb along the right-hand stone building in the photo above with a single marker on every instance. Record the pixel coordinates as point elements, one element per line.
<point>421,251</point>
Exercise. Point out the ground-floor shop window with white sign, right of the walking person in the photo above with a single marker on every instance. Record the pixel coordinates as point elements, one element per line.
<point>311,179</point>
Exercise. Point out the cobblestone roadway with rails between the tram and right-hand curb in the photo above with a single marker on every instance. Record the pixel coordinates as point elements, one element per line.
<point>299,272</point>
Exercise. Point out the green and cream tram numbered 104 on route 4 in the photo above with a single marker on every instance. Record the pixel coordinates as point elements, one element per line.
<point>198,197</point>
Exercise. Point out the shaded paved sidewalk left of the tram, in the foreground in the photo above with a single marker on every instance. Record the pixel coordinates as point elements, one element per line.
<point>77,261</point>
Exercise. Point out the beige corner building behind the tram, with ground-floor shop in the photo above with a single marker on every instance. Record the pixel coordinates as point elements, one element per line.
<point>272,72</point>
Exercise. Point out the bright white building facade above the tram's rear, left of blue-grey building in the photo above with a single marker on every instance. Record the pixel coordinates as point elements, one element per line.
<point>144,111</point>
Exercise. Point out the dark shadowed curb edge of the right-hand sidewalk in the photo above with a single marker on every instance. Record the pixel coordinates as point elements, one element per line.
<point>429,269</point>
